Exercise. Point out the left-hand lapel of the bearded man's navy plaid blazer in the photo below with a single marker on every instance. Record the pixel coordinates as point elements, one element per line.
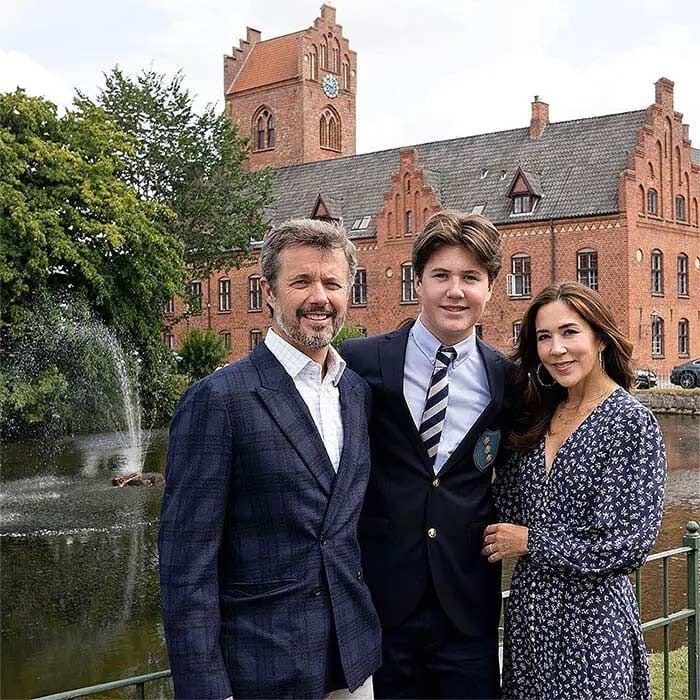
<point>282,400</point>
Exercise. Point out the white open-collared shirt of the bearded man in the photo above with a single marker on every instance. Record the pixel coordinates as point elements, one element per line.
<point>320,394</point>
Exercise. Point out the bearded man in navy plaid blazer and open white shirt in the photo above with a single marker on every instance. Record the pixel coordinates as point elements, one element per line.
<point>262,587</point>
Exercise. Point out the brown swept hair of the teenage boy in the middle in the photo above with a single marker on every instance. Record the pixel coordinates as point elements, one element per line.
<point>472,231</point>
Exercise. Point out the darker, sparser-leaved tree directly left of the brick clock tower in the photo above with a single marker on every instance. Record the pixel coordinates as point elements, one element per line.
<point>193,163</point>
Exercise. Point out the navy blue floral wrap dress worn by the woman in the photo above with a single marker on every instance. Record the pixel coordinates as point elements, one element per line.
<point>572,628</point>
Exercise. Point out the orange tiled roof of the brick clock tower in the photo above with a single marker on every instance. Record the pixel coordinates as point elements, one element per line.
<point>269,62</point>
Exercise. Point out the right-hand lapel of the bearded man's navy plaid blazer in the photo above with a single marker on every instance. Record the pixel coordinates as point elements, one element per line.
<point>352,408</point>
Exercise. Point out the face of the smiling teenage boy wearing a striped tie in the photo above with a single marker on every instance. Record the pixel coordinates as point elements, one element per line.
<point>453,291</point>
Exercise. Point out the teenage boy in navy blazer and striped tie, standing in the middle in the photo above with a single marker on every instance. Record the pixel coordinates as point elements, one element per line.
<point>439,398</point>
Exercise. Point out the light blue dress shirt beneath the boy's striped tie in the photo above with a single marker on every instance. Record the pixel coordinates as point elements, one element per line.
<point>469,392</point>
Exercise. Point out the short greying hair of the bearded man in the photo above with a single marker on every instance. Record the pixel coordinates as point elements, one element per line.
<point>324,235</point>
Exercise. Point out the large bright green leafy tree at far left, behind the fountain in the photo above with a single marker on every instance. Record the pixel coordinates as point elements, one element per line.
<point>70,226</point>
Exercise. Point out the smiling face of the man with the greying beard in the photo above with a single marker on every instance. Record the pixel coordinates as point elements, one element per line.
<point>311,297</point>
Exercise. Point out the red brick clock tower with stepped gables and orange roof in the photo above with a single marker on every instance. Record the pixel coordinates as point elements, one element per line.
<point>294,95</point>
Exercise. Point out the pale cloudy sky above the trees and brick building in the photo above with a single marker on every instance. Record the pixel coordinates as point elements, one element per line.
<point>427,71</point>
